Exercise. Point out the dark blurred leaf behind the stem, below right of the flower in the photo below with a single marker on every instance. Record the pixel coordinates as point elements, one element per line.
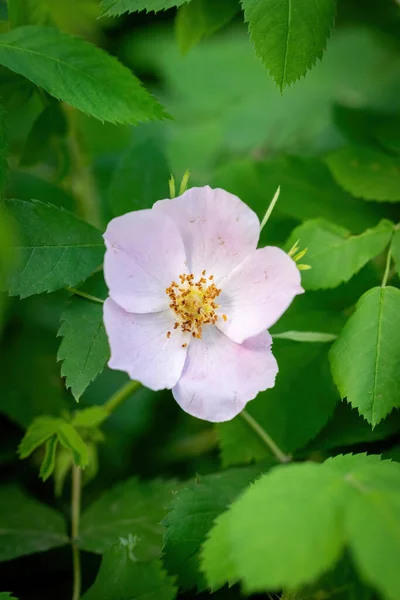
<point>292,413</point>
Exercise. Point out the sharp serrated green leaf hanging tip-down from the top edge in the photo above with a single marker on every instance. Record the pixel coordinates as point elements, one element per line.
<point>283,38</point>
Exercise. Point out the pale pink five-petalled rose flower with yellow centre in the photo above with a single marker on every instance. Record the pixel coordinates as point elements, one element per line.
<point>191,300</point>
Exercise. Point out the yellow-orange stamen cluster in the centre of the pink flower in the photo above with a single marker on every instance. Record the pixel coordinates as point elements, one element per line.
<point>194,303</point>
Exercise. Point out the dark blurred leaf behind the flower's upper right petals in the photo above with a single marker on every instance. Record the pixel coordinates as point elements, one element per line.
<point>308,191</point>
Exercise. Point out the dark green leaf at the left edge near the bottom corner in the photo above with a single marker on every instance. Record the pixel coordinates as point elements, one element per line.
<point>27,526</point>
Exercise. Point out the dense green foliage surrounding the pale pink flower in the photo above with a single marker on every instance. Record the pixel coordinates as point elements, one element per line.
<point>108,490</point>
